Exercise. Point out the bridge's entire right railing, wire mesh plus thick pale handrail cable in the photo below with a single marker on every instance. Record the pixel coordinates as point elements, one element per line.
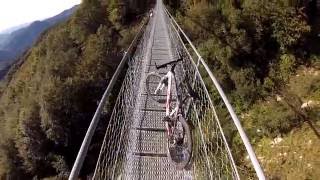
<point>212,115</point>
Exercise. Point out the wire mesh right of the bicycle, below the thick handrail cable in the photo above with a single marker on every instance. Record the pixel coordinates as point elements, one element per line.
<point>212,158</point>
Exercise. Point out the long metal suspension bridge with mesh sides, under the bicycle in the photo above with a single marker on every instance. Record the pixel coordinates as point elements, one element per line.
<point>134,145</point>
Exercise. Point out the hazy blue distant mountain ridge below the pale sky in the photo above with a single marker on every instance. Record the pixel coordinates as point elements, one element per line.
<point>14,44</point>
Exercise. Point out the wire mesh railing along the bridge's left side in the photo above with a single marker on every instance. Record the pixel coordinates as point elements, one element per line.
<point>113,154</point>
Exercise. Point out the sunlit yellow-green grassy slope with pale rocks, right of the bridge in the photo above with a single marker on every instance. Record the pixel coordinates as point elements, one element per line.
<point>297,155</point>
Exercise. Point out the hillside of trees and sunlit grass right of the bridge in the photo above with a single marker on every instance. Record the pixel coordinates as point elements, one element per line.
<point>266,55</point>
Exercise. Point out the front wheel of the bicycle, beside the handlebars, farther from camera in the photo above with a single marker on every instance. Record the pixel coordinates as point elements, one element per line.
<point>152,82</point>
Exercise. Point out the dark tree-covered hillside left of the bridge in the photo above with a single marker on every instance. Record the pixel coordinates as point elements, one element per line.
<point>51,94</point>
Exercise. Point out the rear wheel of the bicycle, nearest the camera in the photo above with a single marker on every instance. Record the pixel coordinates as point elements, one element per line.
<point>180,151</point>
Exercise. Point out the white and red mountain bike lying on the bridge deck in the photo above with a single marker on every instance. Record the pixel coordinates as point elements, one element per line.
<point>159,89</point>
